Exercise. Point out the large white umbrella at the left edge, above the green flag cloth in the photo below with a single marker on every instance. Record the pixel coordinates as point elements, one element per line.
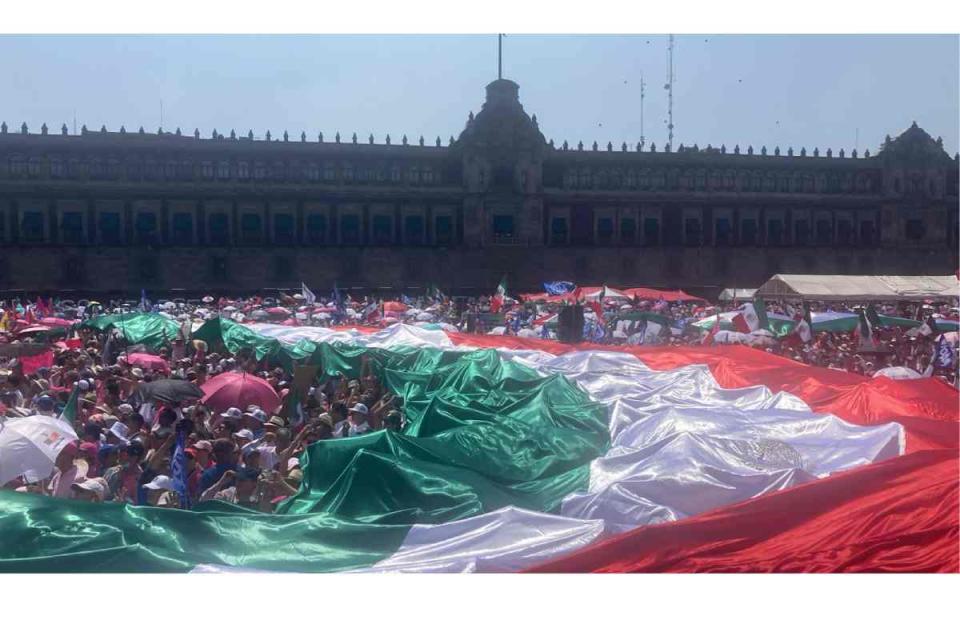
<point>31,445</point>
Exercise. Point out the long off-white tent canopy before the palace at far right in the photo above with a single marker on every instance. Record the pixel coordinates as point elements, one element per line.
<point>851,288</point>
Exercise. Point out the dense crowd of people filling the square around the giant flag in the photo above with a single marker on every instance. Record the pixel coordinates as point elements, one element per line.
<point>126,447</point>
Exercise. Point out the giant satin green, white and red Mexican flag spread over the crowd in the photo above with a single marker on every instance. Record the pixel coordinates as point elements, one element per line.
<point>531,455</point>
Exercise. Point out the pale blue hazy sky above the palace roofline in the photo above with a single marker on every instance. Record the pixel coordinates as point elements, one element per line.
<point>760,90</point>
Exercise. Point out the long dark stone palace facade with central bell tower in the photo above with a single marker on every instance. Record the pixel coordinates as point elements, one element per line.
<point>120,211</point>
